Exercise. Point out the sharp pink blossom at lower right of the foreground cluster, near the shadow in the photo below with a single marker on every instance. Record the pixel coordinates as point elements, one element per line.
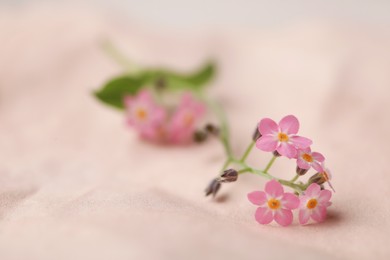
<point>314,203</point>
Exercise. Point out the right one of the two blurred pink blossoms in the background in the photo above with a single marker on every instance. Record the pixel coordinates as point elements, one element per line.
<point>184,119</point>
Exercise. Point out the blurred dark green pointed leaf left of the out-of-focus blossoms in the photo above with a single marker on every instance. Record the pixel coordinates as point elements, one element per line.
<point>116,89</point>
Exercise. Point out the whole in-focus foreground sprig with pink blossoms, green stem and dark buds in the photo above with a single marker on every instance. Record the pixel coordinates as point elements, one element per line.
<point>282,140</point>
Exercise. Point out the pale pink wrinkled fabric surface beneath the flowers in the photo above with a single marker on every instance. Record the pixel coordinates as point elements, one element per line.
<point>76,184</point>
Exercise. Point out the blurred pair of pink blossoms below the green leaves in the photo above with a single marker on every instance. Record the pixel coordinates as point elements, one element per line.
<point>157,123</point>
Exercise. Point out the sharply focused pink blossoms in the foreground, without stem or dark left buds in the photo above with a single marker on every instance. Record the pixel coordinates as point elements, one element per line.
<point>274,203</point>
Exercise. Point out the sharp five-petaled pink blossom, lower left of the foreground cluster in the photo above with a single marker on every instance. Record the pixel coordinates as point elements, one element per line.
<point>274,203</point>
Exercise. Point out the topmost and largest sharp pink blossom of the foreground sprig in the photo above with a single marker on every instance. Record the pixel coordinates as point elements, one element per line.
<point>281,137</point>
